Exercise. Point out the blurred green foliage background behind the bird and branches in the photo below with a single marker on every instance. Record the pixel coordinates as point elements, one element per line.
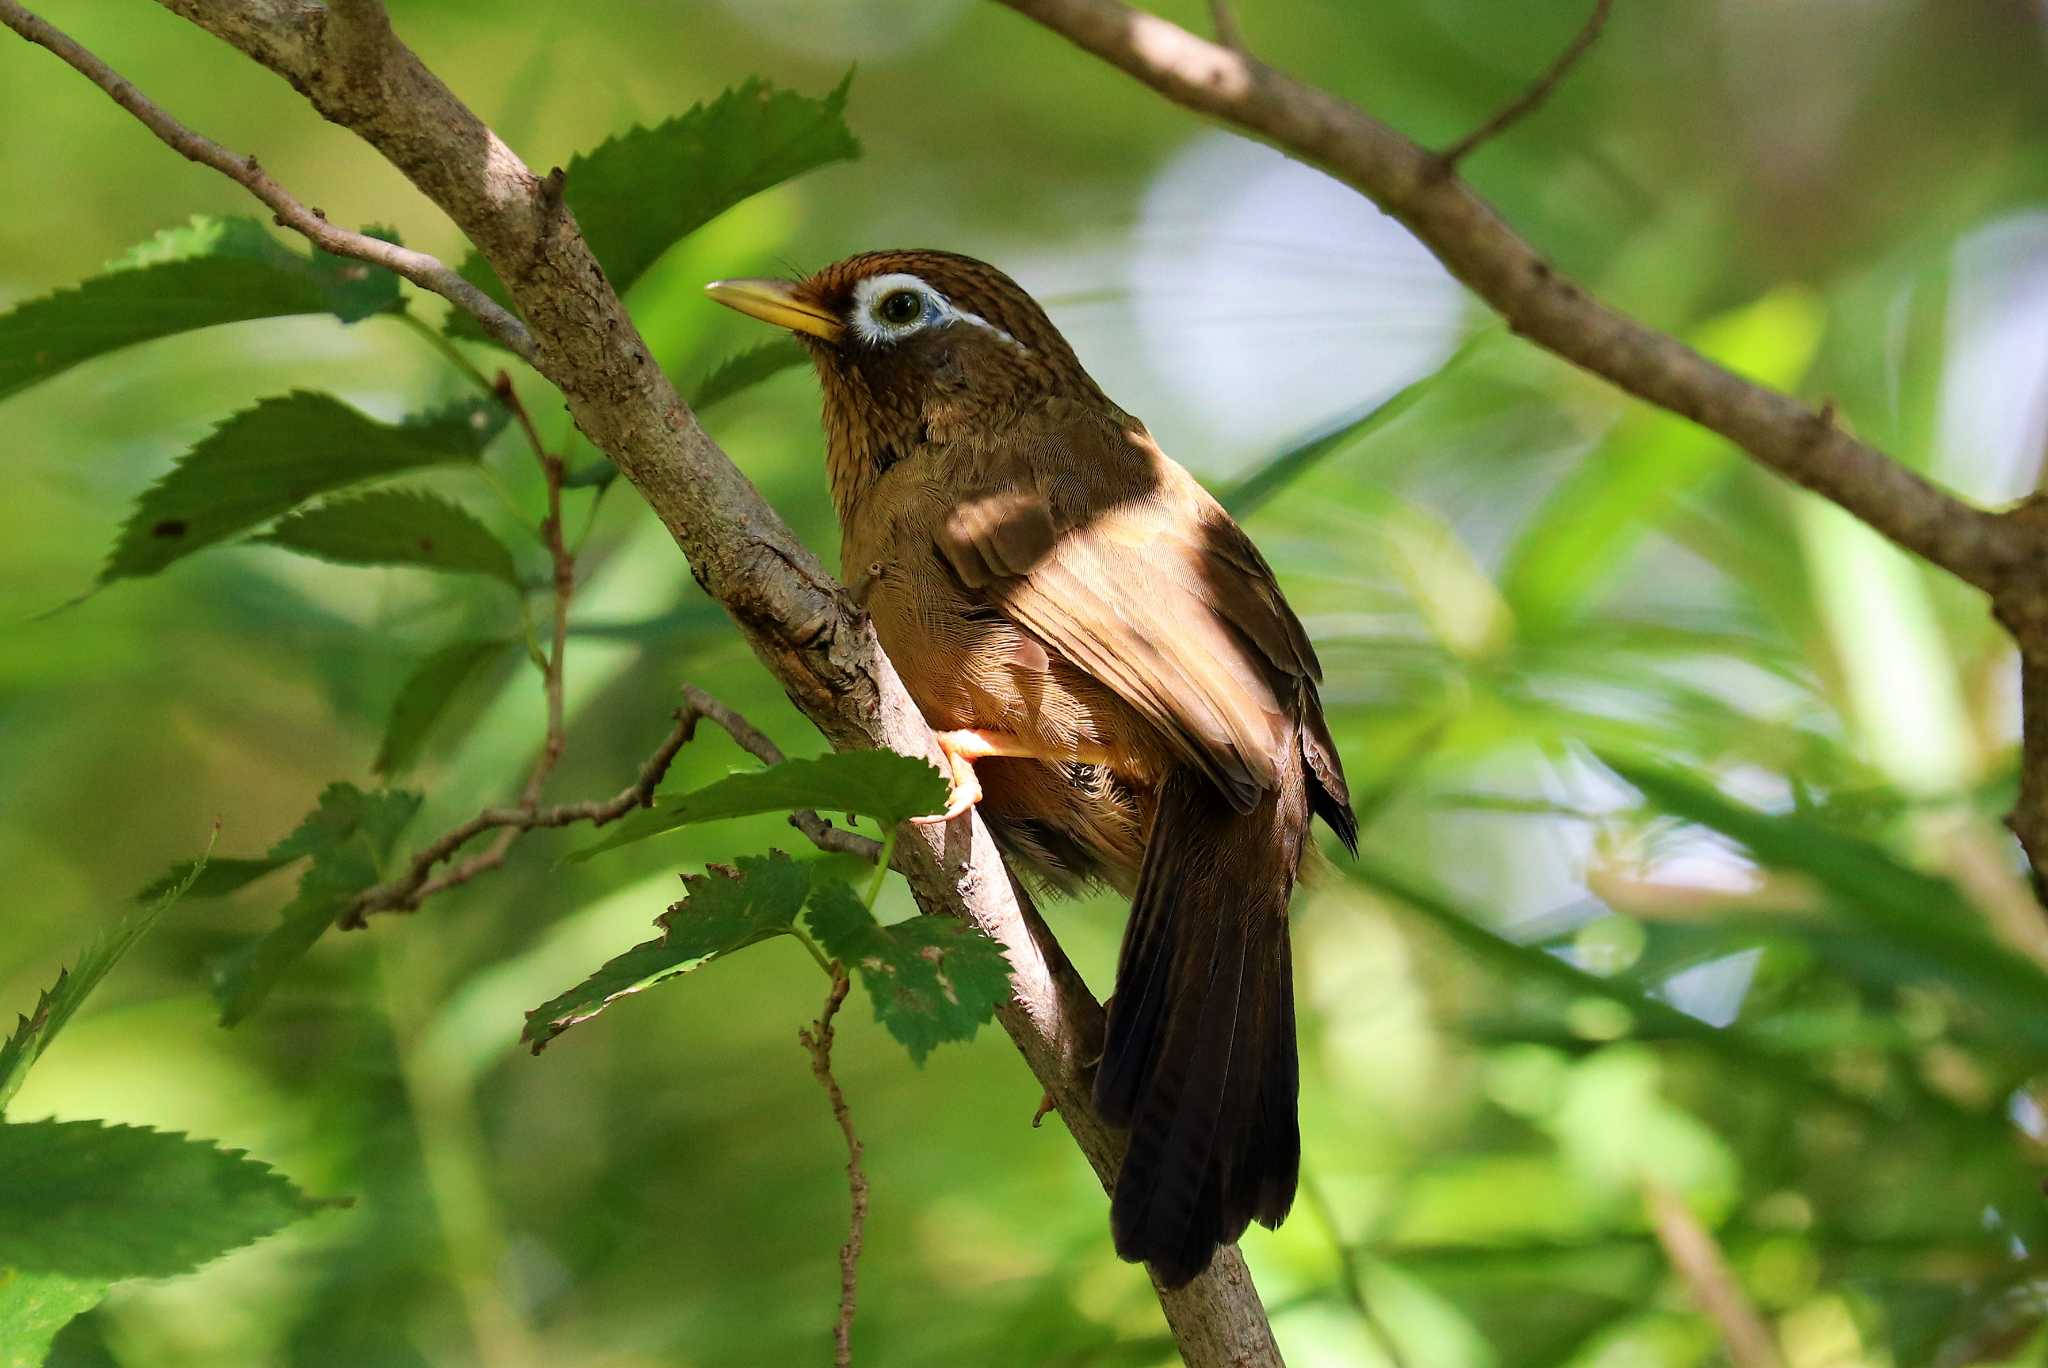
<point>1508,579</point>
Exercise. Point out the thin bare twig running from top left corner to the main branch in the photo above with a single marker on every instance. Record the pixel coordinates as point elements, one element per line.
<point>419,267</point>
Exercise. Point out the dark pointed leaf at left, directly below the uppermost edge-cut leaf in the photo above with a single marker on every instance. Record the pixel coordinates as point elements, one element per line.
<point>269,460</point>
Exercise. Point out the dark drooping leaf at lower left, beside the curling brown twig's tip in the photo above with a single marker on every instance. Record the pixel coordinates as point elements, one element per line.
<point>349,839</point>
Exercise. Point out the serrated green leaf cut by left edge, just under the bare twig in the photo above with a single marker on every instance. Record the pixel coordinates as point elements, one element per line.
<point>212,271</point>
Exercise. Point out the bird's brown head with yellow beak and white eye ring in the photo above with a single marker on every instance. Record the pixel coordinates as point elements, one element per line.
<point>912,349</point>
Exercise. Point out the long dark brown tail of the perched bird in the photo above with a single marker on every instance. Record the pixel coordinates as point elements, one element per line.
<point>1199,1060</point>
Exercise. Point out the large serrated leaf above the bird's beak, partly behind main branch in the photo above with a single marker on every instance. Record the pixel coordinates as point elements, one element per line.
<point>706,163</point>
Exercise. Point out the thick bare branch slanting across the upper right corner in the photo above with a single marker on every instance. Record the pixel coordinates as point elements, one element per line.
<point>1416,187</point>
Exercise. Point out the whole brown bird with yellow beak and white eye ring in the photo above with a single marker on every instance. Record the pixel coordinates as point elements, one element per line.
<point>1115,681</point>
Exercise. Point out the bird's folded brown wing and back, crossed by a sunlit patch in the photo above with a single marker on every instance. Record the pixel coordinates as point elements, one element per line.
<point>1115,558</point>
